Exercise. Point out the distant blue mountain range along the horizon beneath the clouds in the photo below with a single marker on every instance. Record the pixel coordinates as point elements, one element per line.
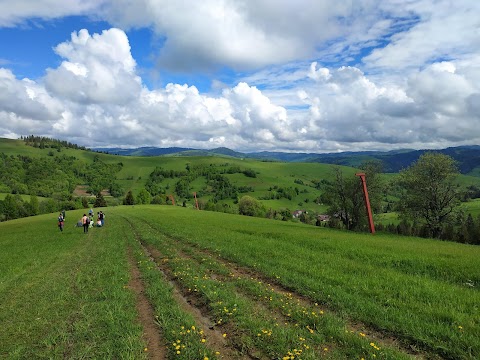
<point>468,157</point>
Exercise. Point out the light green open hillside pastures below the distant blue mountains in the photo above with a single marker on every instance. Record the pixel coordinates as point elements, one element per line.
<point>136,170</point>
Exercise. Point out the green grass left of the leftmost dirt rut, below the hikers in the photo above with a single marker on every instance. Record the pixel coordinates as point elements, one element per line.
<point>63,295</point>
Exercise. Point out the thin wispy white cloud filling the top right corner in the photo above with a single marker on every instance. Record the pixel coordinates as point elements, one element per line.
<point>443,28</point>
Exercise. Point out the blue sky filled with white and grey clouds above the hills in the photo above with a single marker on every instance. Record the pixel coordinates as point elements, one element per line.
<point>251,75</point>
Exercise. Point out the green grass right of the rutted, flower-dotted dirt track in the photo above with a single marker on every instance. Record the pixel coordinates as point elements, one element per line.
<point>416,289</point>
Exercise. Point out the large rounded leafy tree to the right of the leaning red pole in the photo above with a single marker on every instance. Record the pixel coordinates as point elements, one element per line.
<point>430,193</point>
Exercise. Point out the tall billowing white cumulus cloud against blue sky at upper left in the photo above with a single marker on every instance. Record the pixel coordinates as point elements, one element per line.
<point>98,69</point>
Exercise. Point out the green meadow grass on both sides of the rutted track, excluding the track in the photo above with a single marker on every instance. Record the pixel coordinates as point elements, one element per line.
<point>64,294</point>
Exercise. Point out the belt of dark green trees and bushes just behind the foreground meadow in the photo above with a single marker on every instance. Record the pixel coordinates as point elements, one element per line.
<point>426,195</point>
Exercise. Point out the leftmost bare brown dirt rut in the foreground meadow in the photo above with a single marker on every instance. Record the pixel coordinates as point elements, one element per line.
<point>156,347</point>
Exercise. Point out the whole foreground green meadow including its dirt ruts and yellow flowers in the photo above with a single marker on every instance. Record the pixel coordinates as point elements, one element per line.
<point>175,283</point>
